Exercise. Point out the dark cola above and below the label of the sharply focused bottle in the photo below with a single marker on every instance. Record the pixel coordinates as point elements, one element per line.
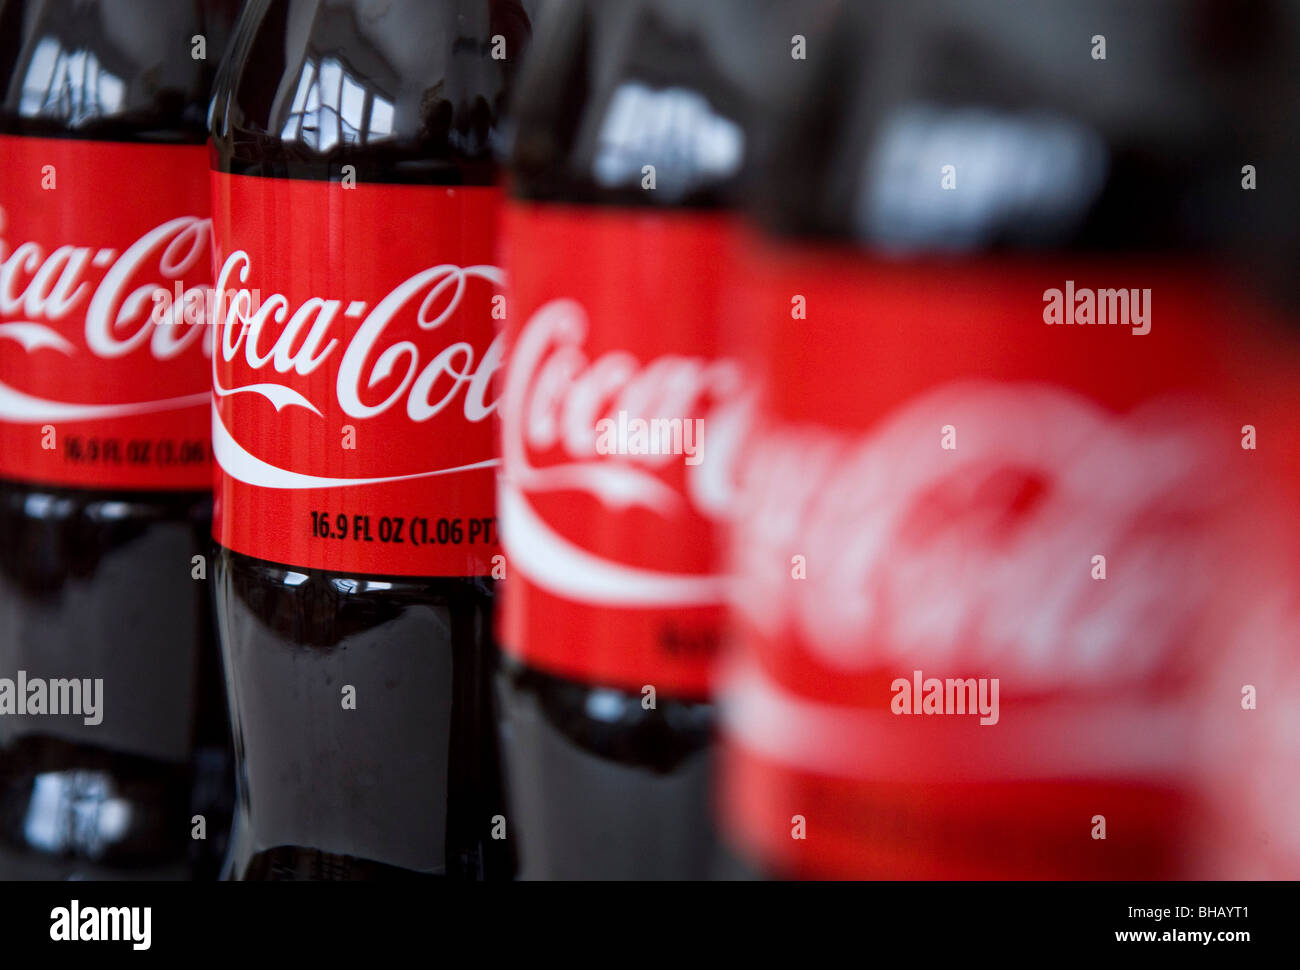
<point>415,783</point>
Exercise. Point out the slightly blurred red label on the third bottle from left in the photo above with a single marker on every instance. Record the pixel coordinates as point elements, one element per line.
<point>619,426</point>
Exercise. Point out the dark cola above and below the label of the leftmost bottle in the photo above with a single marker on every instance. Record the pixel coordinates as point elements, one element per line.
<point>93,583</point>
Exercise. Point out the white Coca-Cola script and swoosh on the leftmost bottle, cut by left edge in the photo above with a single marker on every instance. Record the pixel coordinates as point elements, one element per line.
<point>45,292</point>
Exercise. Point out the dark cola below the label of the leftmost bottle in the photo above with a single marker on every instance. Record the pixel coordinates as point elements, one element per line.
<point>90,588</point>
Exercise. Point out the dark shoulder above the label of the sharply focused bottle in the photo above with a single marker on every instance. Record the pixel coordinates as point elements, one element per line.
<point>408,92</point>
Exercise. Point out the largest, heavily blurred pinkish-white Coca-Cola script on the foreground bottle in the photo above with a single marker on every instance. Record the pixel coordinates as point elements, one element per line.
<point>981,557</point>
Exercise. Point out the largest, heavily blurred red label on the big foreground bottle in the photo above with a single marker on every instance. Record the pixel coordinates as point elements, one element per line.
<point>967,490</point>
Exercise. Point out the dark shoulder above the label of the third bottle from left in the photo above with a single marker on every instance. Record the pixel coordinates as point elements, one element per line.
<point>638,105</point>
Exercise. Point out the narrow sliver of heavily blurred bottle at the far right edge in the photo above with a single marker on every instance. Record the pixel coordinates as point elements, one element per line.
<point>1251,741</point>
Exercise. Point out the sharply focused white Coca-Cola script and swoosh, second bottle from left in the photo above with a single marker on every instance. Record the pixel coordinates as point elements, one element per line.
<point>272,348</point>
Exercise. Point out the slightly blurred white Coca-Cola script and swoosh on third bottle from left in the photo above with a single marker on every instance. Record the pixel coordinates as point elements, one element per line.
<point>556,400</point>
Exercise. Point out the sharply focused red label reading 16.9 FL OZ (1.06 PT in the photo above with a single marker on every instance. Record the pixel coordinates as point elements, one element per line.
<point>353,375</point>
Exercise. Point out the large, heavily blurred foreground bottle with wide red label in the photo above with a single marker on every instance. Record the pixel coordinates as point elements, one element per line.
<point>999,500</point>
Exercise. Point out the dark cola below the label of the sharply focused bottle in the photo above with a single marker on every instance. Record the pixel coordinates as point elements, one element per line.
<point>406,781</point>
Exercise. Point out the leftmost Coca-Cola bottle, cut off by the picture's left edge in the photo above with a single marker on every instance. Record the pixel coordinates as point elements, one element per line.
<point>112,722</point>
